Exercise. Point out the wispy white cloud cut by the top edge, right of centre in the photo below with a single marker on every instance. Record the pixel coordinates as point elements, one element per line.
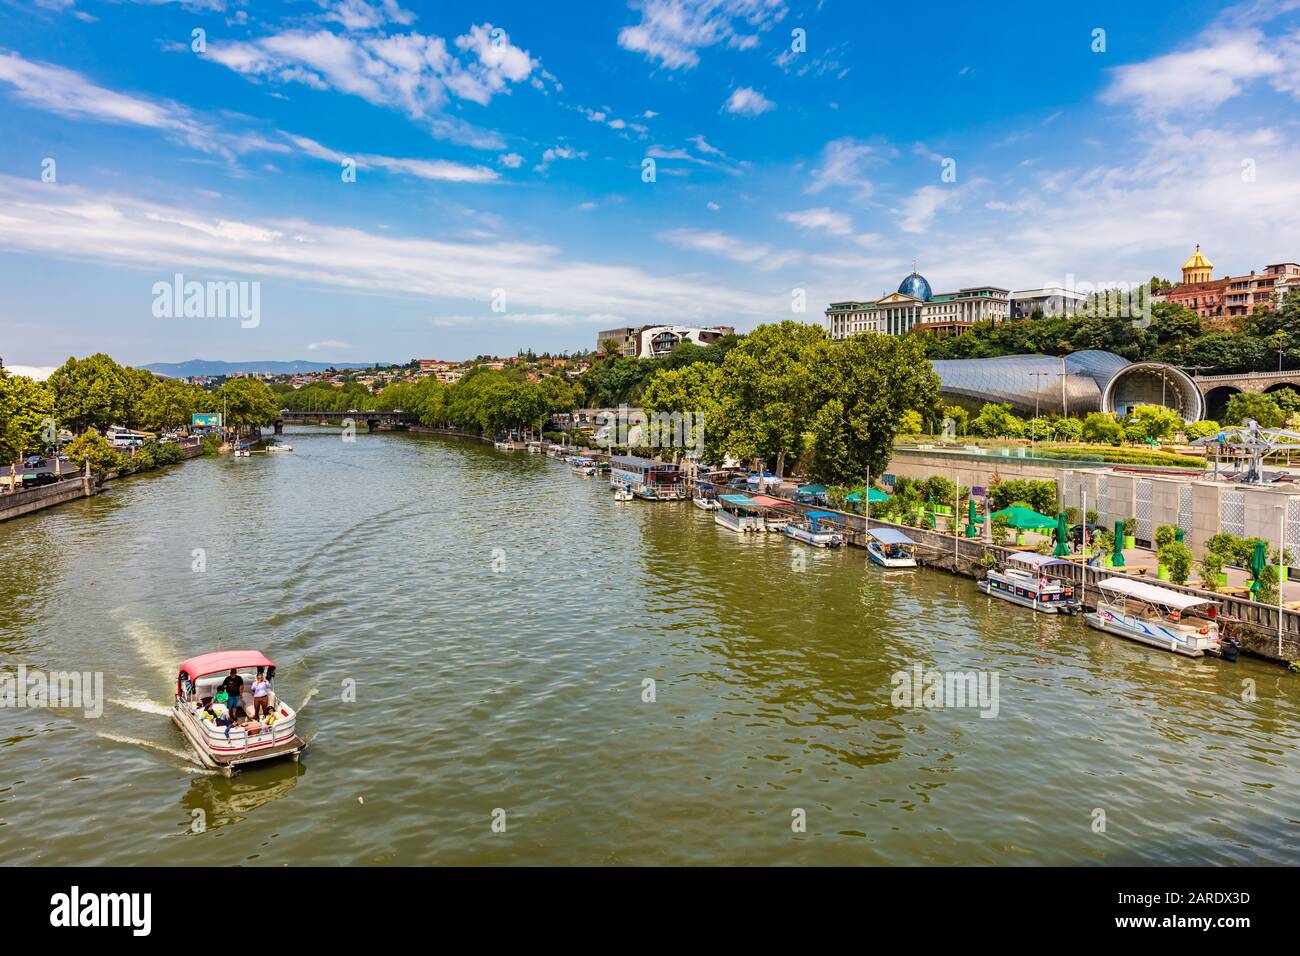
<point>671,32</point>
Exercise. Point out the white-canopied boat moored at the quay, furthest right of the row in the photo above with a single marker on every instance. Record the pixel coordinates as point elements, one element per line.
<point>1163,618</point>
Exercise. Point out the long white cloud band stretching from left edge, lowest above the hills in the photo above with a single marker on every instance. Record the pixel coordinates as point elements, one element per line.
<point>161,240</point>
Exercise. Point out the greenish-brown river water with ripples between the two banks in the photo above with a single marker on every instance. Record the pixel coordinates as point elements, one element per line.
<point>500,615</point>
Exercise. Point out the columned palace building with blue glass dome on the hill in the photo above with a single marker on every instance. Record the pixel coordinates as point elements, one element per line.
<point>917,308</point>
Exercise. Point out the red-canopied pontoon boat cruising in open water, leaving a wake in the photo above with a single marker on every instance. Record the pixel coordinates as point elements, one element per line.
<point>227,749</point>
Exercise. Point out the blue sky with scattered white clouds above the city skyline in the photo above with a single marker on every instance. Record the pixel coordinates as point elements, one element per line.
<point>500,152</point>
